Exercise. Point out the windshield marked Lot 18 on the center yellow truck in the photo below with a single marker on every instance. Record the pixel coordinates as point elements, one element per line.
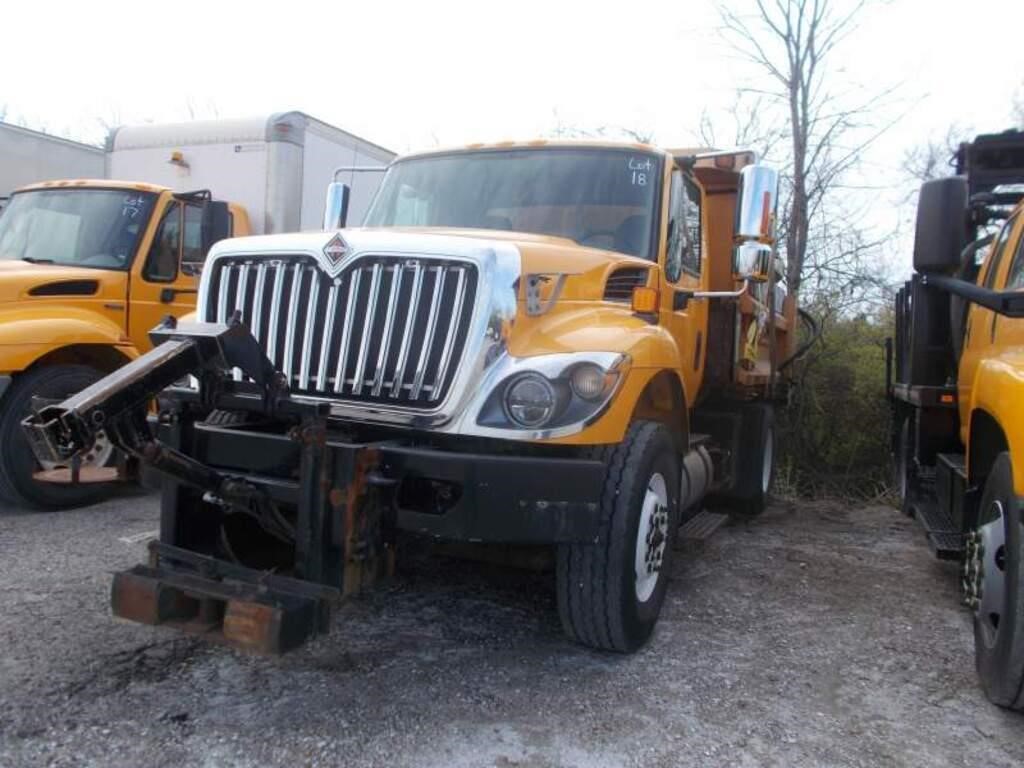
<point>602,198</point>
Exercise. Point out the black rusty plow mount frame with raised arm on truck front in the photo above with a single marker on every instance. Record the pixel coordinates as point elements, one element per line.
<point>335,535</point>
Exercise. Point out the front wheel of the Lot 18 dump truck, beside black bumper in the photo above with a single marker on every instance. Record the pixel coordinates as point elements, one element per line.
<point>611,591</point>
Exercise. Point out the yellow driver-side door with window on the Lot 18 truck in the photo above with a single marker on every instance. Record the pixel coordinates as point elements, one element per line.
<point>684,272</point>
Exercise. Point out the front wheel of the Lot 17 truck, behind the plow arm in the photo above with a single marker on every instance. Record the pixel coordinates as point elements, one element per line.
<point>18,463</point>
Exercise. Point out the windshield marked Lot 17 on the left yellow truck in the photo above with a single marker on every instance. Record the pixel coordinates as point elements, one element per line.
<point>80,228</point>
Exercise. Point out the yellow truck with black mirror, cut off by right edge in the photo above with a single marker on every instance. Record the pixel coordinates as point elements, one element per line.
<point>957,388</point>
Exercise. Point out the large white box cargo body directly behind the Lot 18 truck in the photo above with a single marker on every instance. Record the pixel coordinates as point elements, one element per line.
<point>277,166</point>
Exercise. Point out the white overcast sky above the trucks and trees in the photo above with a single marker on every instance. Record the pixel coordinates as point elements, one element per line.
<point>409,75</point>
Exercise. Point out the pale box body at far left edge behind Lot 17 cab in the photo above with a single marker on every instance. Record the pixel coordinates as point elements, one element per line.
<point>29,157</point>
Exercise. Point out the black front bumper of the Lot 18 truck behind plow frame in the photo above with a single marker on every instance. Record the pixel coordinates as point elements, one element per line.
<point>450,495</point>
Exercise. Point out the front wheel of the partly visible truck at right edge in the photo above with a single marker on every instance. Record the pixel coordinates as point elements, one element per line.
<point>995,570</point>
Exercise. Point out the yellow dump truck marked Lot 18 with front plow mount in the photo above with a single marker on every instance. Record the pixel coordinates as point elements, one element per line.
<point>575,347</point>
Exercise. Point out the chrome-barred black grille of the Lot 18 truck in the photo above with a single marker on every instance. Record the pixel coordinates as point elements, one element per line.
<point>388,330</point>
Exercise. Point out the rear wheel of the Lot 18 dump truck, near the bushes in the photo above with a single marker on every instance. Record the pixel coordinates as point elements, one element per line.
<point>755,465</point>
